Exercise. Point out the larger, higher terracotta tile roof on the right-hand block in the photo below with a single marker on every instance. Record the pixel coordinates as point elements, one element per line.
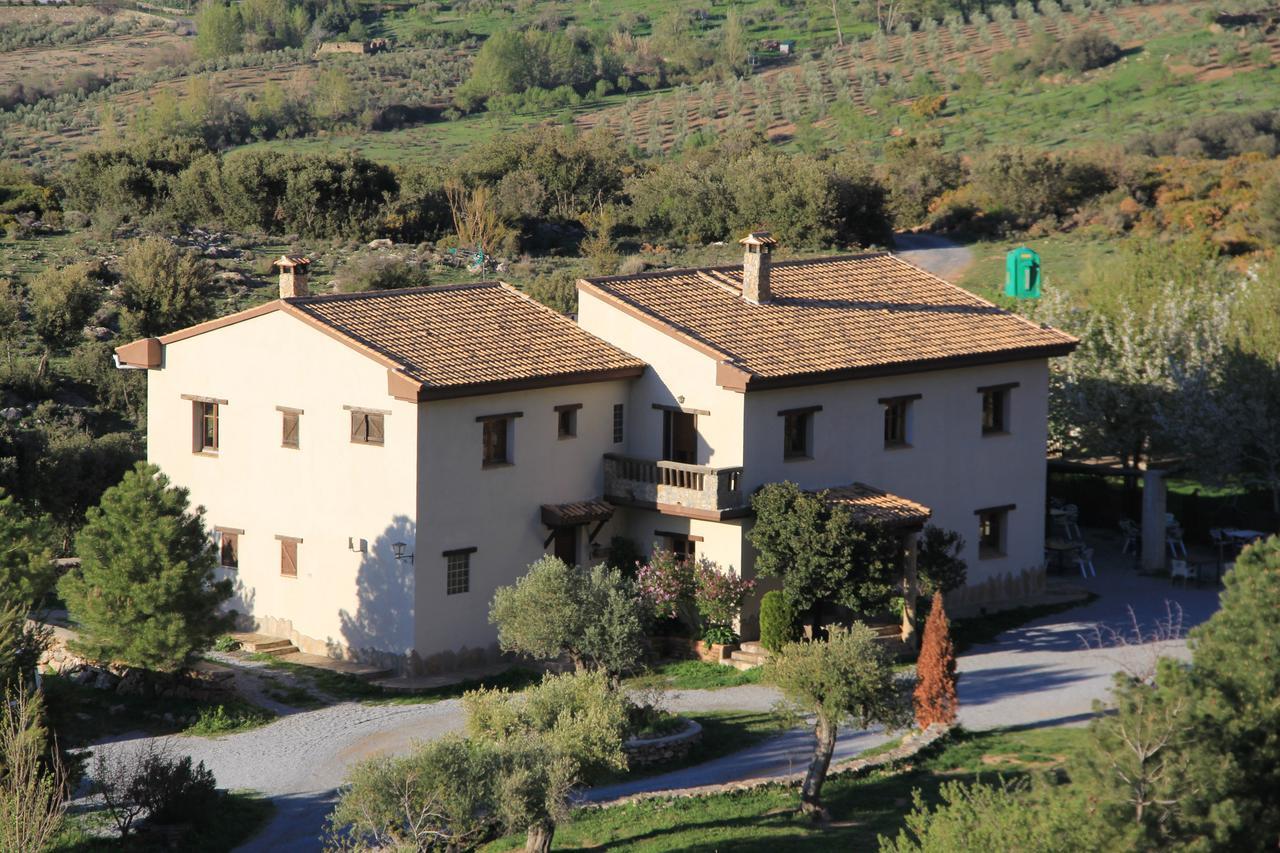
<point>854,316</point>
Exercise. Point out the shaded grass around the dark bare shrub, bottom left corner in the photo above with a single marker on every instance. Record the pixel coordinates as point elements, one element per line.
<point>239,816</point>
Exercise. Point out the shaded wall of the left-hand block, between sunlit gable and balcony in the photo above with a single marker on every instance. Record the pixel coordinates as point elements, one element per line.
<point>497,510</point>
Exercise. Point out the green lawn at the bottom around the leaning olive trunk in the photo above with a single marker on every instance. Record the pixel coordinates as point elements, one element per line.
<point>766,820</point>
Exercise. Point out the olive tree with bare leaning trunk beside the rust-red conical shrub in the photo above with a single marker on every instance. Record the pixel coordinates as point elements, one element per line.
<point>848,678</point>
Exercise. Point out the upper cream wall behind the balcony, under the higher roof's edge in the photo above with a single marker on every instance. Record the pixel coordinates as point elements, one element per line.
<point>675,371</point>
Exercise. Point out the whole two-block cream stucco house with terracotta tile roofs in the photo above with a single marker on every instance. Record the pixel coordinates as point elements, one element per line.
<point>376,466</point>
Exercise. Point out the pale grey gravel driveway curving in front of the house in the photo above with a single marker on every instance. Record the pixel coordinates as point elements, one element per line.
<point>1043,673</point>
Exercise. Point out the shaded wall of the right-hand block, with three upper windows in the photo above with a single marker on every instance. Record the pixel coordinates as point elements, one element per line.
<point>952,467</point>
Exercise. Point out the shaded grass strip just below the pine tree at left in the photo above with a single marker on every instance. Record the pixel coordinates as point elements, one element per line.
<point>81,715</point>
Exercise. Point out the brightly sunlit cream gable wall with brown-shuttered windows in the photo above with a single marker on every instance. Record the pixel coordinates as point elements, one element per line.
<point>324,492</point>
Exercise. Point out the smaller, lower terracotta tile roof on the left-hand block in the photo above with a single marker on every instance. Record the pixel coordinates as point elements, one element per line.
<point>468,336</point>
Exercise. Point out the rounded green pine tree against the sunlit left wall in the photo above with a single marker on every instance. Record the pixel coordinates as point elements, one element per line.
<point>145,592</point>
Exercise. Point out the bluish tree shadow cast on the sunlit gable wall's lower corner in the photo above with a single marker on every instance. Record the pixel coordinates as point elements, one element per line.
<point>382,624</point>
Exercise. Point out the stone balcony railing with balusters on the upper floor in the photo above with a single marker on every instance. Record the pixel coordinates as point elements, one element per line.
<point>652,482</point>
